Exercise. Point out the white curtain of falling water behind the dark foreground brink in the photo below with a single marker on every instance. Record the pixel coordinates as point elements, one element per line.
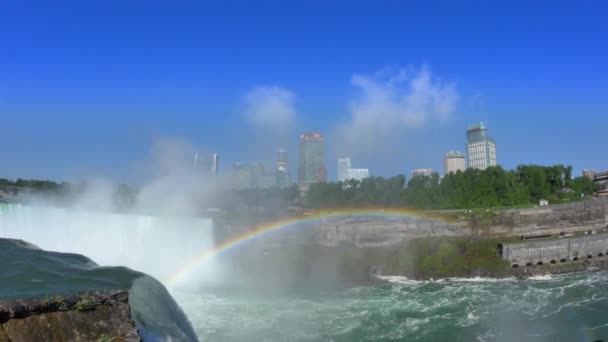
<point>155,245</point>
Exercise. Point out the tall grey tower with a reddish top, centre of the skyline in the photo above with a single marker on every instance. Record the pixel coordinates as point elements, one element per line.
<point>311,167</point>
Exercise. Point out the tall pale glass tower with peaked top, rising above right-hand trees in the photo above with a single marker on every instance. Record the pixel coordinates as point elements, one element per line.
<point>481,148</point>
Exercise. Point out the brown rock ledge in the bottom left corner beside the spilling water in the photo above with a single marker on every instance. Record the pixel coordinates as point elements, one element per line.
<point>91,316</point>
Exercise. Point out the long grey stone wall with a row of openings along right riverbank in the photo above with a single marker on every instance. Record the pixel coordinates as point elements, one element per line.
<point>556,251</point>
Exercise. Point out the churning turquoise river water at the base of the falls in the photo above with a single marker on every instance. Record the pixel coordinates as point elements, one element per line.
<point>562,308</point>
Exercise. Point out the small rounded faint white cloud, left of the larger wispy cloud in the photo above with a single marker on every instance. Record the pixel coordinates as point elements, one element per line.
<point>271,108</point>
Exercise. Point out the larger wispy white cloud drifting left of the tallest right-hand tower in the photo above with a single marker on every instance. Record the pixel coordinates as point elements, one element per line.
<point>391,102</point>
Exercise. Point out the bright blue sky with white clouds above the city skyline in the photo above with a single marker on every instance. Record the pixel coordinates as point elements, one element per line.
<point>87,87</point>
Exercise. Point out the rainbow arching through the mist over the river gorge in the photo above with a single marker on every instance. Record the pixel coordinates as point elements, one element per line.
<point>294,221</point>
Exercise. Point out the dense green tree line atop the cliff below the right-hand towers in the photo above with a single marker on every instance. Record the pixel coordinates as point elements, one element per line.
<point>472,188</point>
